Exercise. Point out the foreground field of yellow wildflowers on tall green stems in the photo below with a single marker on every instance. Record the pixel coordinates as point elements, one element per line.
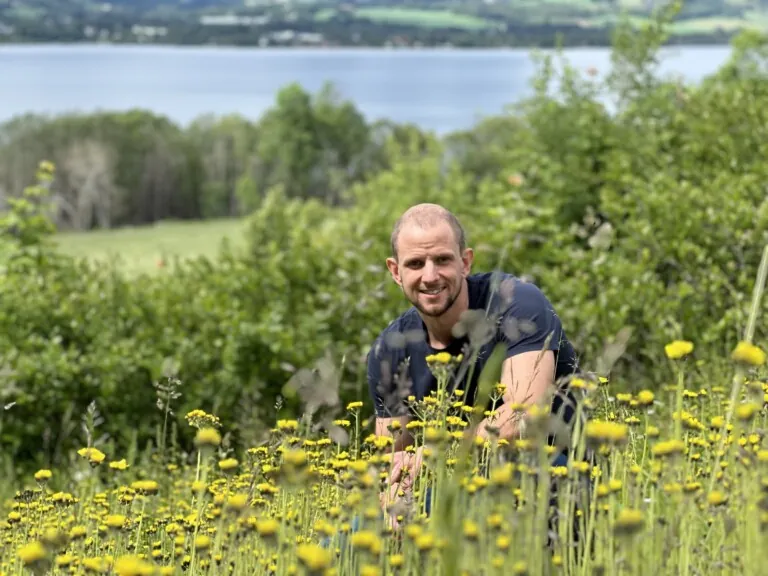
<point>684,492</point>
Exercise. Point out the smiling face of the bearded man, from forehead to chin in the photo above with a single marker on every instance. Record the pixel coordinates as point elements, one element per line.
<point>429,268</point>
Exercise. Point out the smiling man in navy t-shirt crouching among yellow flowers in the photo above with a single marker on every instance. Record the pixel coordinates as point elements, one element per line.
<point>432,265</point>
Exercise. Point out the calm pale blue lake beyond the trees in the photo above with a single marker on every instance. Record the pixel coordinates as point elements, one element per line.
<point>437,89</point>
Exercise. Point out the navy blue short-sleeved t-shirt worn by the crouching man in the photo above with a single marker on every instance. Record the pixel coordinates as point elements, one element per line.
<point>517,314</point>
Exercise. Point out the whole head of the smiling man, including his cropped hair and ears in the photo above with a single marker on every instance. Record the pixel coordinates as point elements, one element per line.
<point>430,260</point>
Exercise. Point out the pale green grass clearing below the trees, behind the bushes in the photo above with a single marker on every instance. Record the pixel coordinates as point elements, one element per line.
<point>141,249</point>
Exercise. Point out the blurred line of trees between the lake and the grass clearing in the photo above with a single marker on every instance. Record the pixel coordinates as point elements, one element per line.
<point>131,168</point>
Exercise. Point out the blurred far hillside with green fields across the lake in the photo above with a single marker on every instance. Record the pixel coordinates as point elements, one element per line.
<point>461,23</point>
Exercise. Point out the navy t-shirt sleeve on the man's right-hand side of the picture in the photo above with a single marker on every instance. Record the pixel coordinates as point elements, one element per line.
<point>529,323</point>
